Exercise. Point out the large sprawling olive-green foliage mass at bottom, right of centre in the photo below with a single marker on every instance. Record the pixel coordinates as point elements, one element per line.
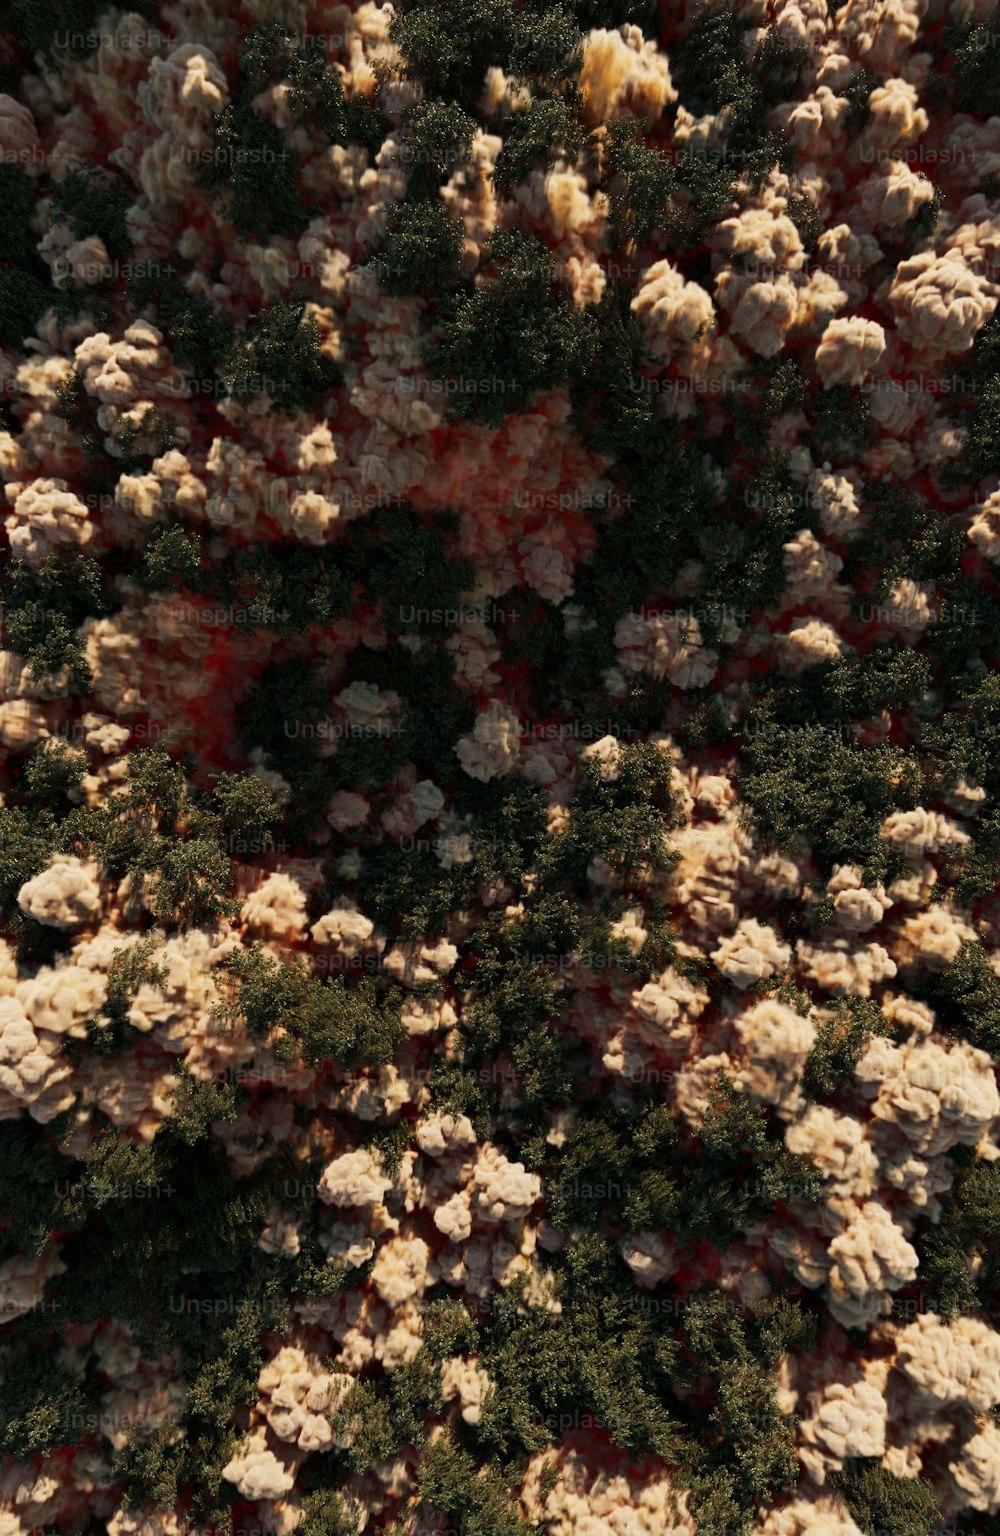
<point>611,1365</point>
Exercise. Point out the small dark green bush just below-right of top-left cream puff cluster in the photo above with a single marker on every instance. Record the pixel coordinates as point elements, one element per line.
<point>251,164</point>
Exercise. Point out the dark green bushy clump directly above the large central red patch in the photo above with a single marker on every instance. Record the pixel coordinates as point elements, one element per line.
<point>514,337</point>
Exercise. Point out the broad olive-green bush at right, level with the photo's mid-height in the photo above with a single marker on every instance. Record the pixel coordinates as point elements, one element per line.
<point>812,787</point>
